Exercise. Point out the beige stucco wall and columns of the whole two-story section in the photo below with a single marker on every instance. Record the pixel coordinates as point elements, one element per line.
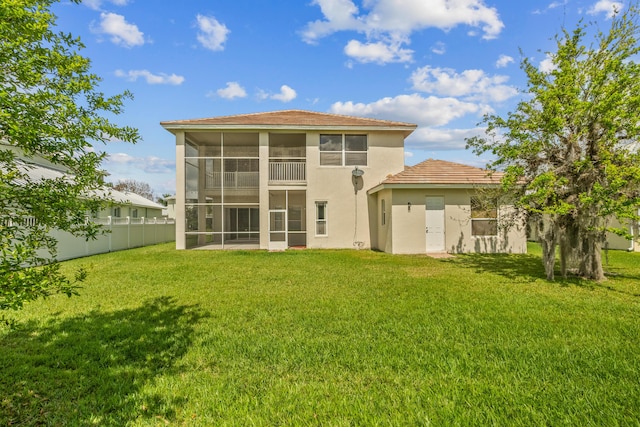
<point>349,212</point>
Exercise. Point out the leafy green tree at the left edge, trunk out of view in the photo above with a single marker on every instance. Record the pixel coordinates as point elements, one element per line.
<point>50,107</point>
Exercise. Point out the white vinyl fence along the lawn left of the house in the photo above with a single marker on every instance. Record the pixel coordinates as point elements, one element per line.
<point>124,233</point>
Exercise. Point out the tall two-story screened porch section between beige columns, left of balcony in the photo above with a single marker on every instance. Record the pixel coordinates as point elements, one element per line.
<point>222,200</point>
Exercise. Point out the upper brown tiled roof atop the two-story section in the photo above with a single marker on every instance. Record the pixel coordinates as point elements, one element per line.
<point>291,118</point>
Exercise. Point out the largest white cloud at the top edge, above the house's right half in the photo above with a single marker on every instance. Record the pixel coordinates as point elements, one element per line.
<point>384,20</point>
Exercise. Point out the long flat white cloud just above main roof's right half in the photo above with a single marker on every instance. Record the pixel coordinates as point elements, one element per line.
<point>414,108</point>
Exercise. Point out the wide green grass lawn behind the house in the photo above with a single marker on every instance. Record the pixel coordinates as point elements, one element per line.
<point>201,338</point>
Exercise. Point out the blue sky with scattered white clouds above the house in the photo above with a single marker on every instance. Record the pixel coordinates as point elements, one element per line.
<point>440,64</point>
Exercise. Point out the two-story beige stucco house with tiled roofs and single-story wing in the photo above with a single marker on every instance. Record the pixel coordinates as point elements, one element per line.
<point>303,179</point>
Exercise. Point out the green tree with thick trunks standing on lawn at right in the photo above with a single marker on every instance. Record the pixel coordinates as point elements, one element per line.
<point>570,149</point>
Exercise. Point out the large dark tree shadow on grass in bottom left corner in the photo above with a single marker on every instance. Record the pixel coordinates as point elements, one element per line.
<point>92,369</point>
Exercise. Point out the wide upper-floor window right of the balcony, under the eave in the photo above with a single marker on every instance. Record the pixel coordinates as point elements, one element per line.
<point>343,150</point>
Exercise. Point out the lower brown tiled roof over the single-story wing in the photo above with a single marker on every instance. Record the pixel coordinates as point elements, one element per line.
<point>443,172</point>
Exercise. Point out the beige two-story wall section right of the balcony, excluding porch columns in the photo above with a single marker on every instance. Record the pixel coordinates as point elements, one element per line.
<point>336,186</point>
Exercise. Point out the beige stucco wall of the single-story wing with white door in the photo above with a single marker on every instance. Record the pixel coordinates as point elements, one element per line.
<point>408,225</point>
